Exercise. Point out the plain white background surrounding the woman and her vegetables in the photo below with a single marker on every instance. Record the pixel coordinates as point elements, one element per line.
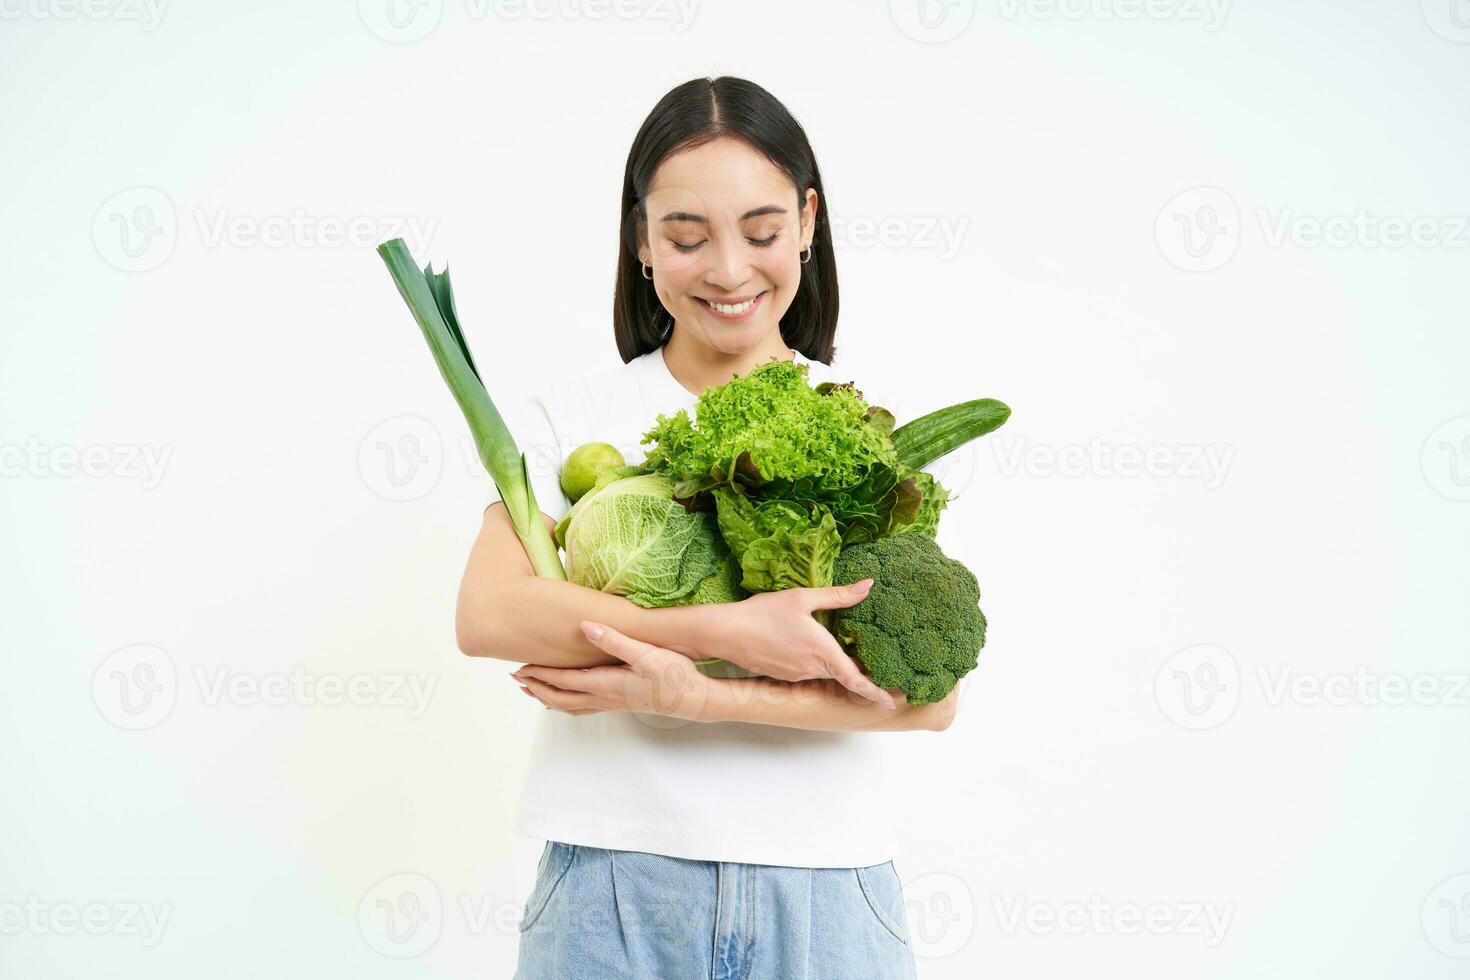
<point>174,292</point>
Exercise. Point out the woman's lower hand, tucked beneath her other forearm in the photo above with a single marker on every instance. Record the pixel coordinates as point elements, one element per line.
<point>652,681</point>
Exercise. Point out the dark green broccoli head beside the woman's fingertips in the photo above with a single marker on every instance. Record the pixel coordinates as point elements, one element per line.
<point>921,627</point>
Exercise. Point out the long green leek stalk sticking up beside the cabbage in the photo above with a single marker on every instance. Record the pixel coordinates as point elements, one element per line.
<point>431,302</point>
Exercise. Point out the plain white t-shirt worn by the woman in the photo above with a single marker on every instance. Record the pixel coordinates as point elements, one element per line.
<point>711,791</point>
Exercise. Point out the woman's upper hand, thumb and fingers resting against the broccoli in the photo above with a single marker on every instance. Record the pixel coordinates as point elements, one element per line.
<point>774,634</point>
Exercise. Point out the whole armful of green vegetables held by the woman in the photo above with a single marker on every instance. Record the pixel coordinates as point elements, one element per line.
<point>772,484</point>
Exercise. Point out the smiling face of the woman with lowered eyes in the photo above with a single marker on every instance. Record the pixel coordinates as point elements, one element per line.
<point>725,228</point>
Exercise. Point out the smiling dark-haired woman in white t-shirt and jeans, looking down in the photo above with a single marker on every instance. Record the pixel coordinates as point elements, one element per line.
<point>752,804</point>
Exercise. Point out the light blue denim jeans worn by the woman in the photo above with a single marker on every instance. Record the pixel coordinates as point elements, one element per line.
<point>598,915</point>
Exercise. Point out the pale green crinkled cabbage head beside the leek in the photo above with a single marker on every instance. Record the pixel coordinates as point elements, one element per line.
<point>631,538</point>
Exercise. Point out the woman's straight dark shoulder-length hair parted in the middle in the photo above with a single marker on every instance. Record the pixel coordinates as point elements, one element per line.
<point>692,115</point>
